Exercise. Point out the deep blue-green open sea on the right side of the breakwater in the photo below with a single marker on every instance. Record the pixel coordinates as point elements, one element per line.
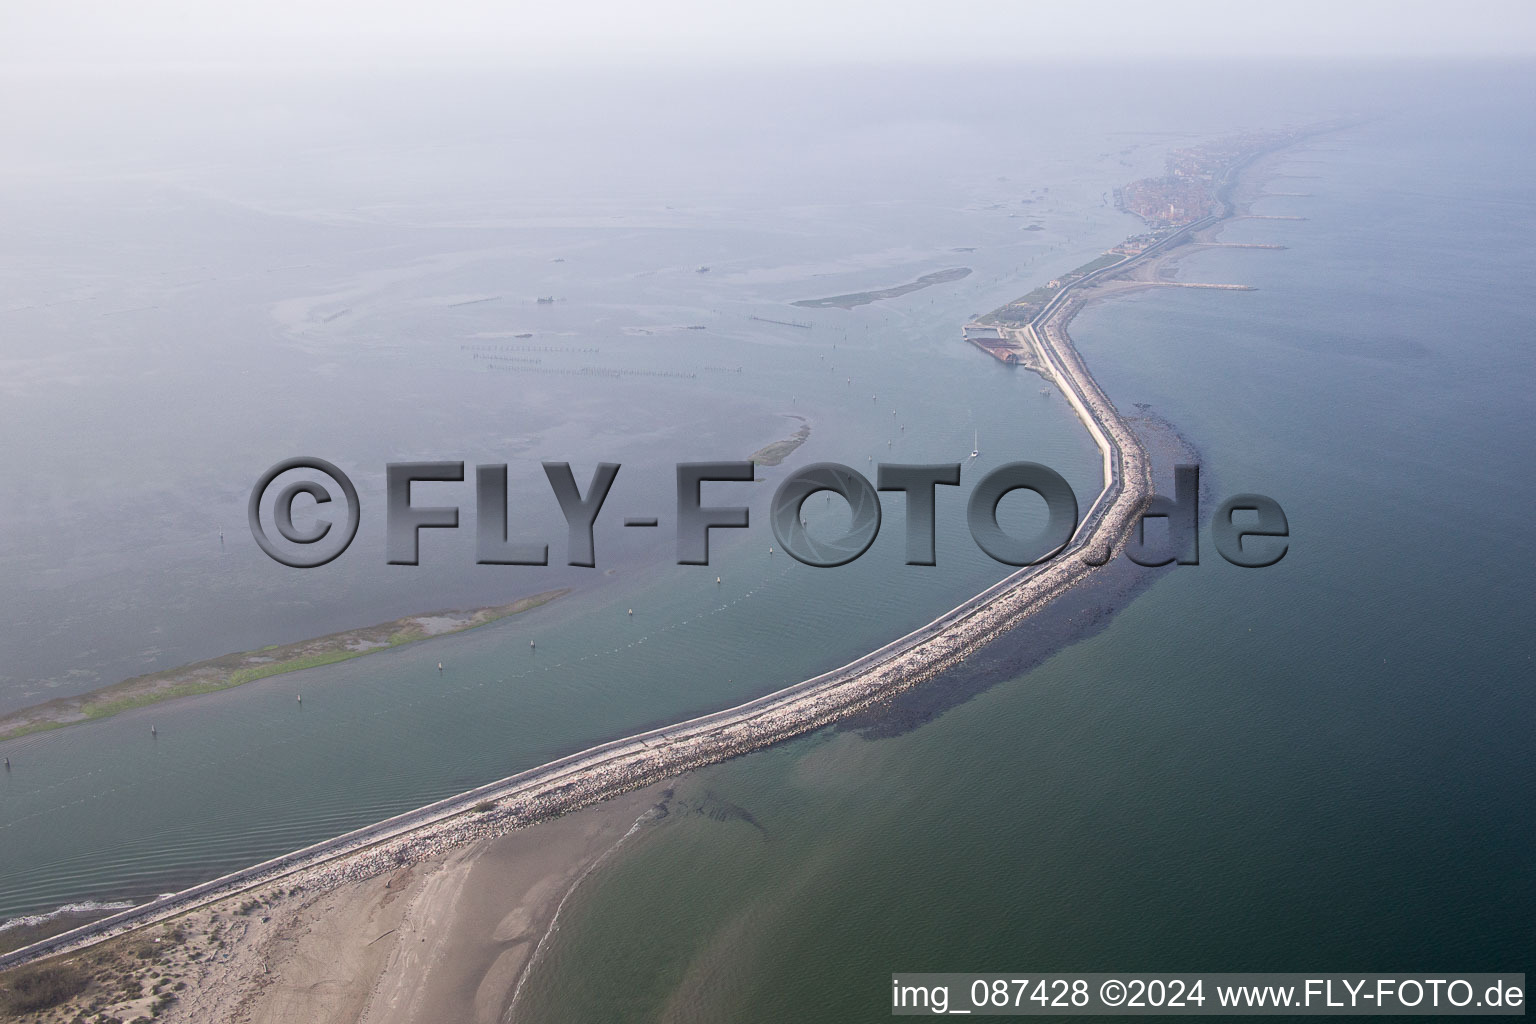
<point>1317,767</point>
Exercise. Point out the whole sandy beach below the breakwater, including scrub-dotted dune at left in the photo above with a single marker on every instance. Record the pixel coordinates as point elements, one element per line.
<point>440,940</point>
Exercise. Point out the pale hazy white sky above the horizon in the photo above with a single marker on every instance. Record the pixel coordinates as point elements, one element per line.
<point>726,31</point>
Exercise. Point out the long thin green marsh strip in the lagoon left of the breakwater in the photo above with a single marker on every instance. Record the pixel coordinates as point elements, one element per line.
<point>228,672</point>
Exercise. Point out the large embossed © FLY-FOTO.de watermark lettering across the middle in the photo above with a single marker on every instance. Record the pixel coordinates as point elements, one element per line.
<point>1248,530</point>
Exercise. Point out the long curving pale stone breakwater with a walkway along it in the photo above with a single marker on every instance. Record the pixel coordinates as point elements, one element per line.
<point>634,762</point>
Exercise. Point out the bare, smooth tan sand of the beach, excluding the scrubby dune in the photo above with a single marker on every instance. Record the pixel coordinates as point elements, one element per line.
<point>445,940</point>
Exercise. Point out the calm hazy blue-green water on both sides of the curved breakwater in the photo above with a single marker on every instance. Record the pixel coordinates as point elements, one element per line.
<point>1322,765</point>
